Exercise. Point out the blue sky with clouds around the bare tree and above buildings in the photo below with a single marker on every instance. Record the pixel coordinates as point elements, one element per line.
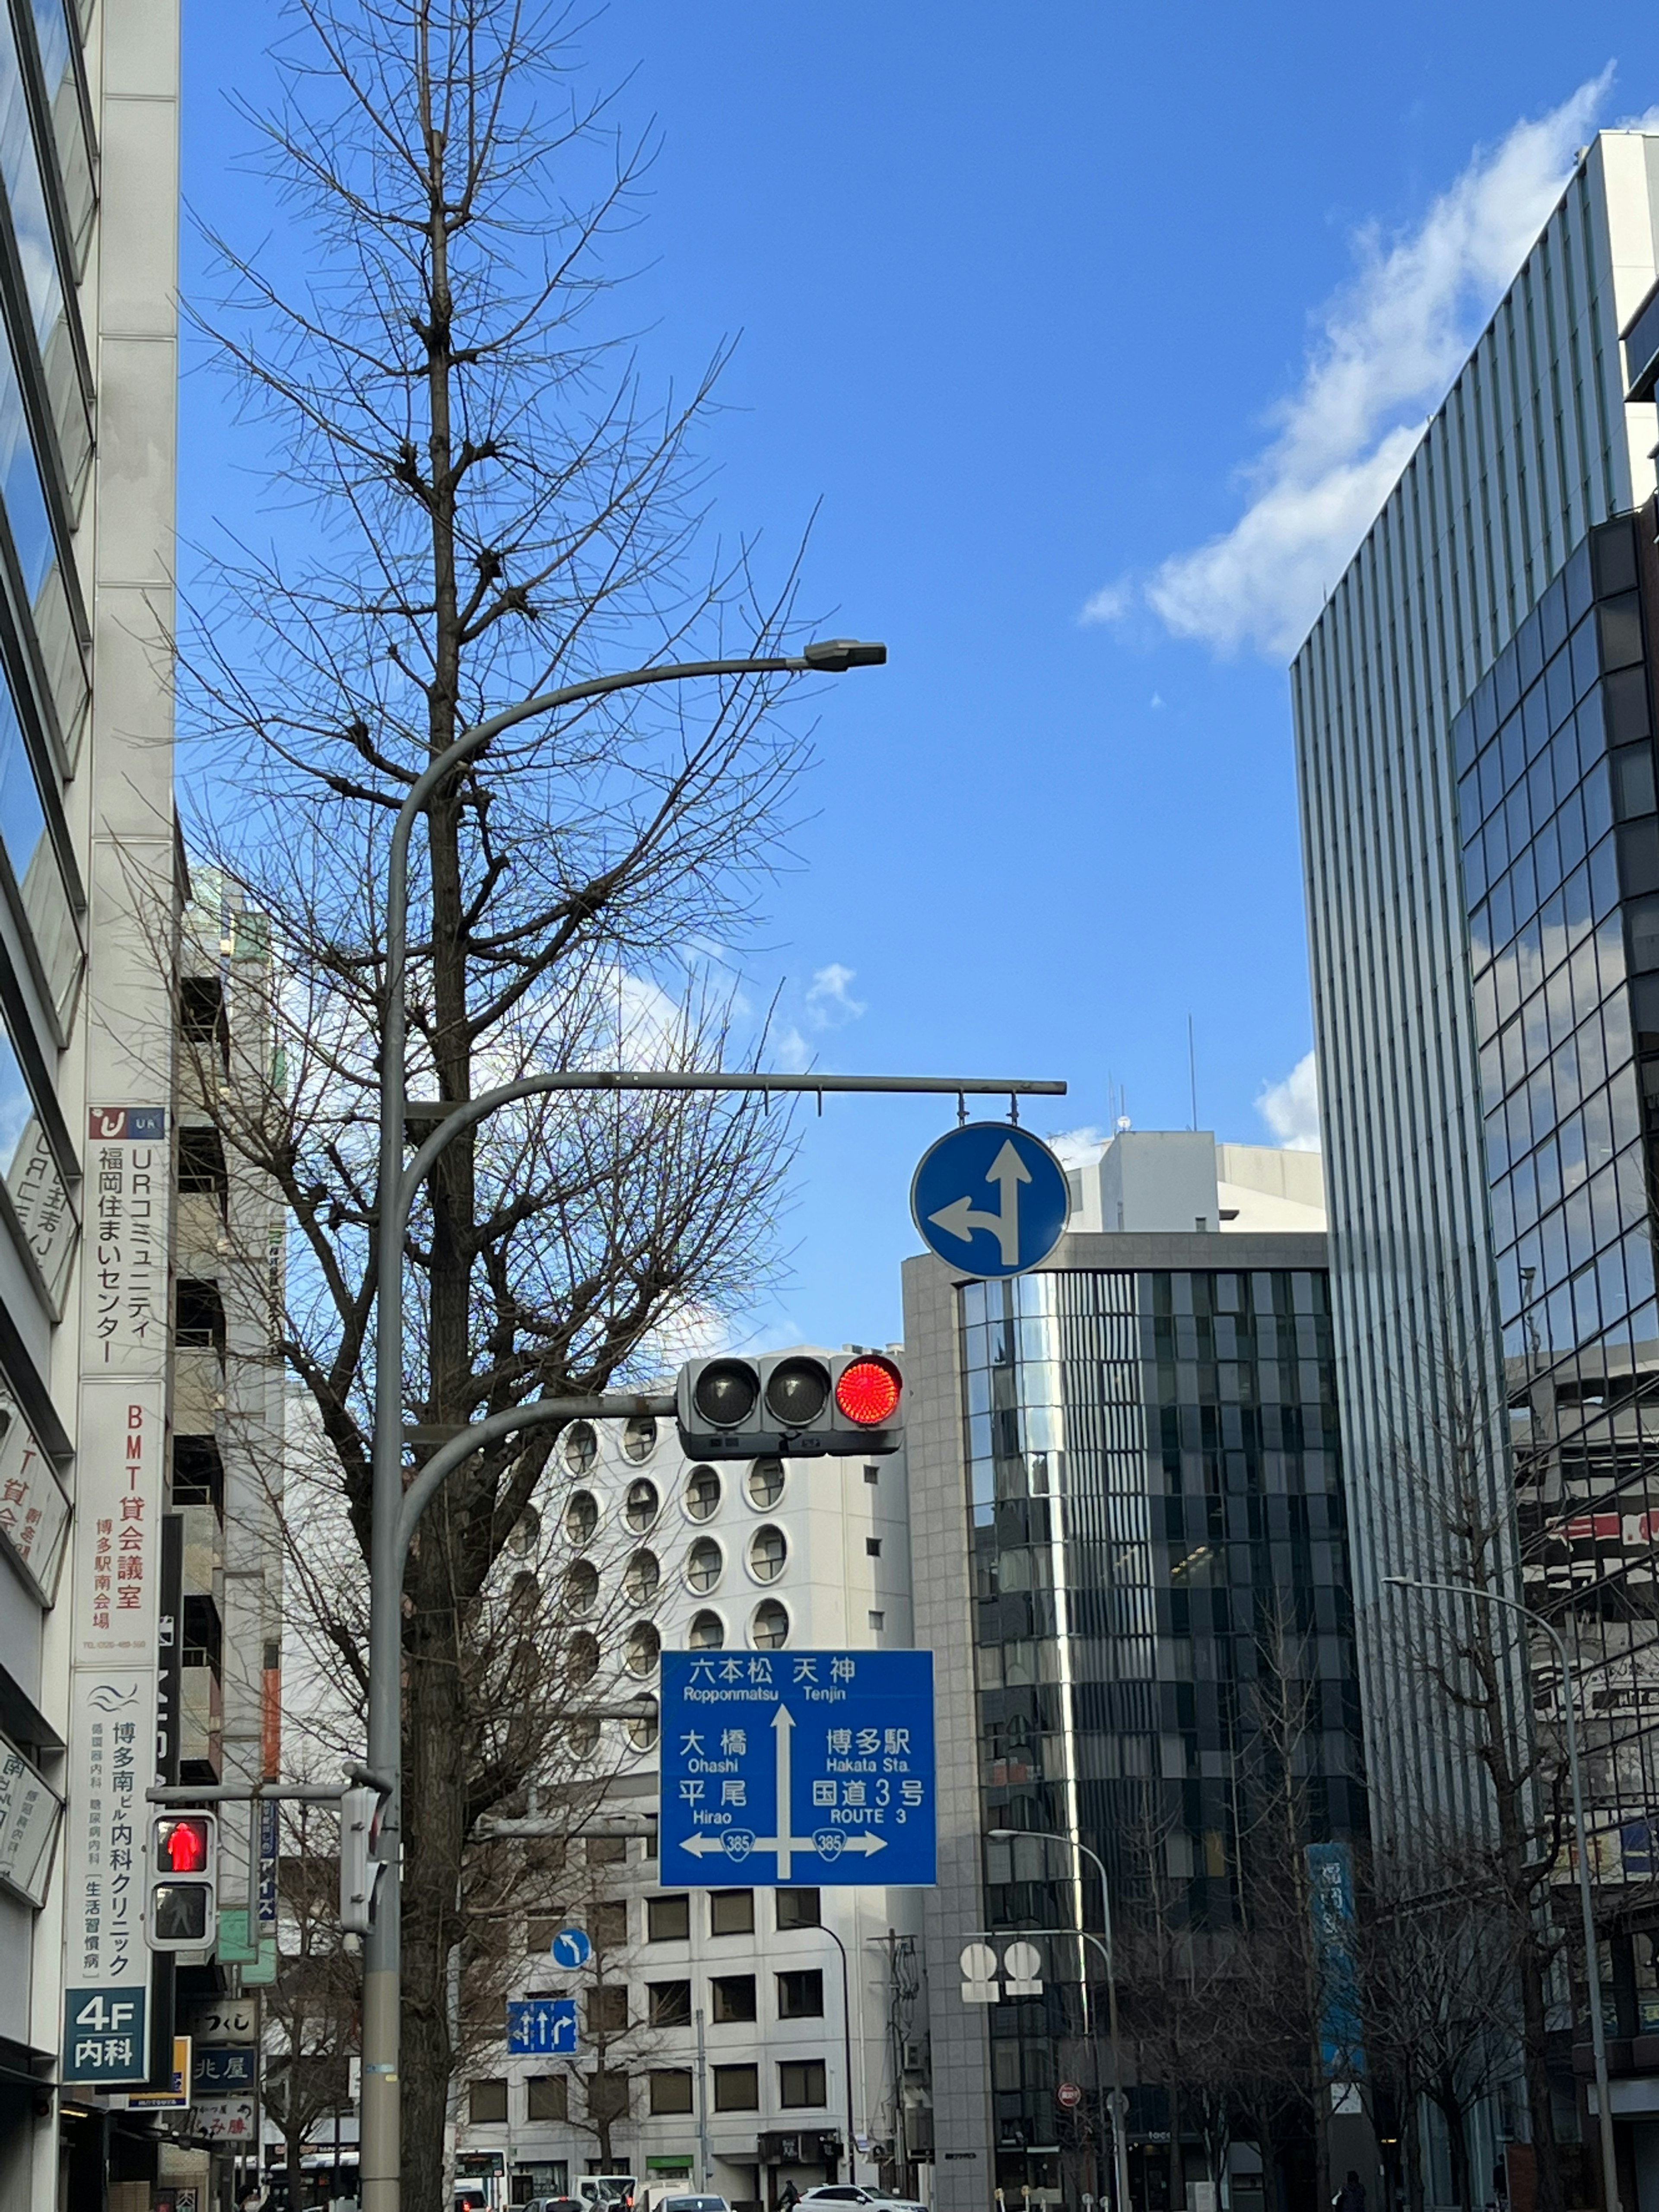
<point>1094,328</point>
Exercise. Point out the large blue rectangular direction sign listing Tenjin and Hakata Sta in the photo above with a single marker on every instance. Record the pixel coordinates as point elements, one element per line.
<point>797,1768</point>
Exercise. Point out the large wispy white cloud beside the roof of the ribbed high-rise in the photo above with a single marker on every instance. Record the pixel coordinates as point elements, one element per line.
<point>1386,355</point>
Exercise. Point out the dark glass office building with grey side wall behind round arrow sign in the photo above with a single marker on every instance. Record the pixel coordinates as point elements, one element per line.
<point>1131,1567</point>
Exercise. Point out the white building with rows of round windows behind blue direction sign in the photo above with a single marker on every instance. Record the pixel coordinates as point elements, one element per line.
<point>722,2016</point>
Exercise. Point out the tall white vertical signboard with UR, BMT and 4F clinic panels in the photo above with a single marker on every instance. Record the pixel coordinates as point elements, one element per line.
<point>116,1600</point>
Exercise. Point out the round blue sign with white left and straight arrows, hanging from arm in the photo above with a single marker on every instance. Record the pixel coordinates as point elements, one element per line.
<point>990,1200</point>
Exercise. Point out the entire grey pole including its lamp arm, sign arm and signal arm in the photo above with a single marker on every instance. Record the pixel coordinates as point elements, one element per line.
<point>397,1512</point>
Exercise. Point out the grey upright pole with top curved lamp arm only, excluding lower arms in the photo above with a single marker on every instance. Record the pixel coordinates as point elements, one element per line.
<point>382,2120</point>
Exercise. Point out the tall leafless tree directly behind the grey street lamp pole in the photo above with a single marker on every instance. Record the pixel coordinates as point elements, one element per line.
<point>488,505</point>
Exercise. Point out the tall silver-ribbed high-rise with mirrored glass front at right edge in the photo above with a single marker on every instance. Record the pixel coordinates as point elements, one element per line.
<point>1474,727</point>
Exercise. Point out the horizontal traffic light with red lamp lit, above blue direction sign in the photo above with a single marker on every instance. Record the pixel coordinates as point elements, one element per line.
<point>791,1404</point>
